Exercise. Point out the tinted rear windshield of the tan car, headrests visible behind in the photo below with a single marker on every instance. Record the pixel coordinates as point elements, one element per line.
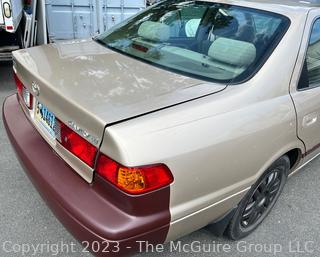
<point>211,41</point>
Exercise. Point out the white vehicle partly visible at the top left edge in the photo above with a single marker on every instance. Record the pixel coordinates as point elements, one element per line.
<point>11,38</point>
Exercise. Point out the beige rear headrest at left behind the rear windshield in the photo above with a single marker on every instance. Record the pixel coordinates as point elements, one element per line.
<point>154,31</point>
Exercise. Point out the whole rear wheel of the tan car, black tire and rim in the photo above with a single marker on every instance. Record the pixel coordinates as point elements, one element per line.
<point>259,201</point>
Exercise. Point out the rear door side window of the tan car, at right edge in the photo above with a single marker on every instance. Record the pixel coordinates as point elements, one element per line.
<point>312,64</point>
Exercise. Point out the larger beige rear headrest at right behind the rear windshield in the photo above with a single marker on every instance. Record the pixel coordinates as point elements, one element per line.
<point>234,52</point>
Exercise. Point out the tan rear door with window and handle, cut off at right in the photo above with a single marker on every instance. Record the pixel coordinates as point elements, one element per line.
<point>305,88</point>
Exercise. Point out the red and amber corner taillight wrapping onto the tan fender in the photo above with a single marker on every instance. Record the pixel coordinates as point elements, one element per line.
<point>134,180</point>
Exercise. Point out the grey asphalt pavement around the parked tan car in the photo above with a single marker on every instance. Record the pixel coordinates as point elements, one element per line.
<point>25,219</point>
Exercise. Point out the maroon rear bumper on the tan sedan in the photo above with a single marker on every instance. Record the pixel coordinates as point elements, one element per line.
<point>95,212</point>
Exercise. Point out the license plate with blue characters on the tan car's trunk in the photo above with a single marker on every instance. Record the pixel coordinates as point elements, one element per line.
<point>46,119</point>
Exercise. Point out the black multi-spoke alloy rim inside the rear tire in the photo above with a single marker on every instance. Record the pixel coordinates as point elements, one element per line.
<point>262,199</point>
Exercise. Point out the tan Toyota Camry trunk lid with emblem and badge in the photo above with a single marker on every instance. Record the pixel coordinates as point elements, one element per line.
<point>87,87</point>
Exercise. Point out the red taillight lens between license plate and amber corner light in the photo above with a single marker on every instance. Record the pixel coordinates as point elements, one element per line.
<point>76,144</point>
